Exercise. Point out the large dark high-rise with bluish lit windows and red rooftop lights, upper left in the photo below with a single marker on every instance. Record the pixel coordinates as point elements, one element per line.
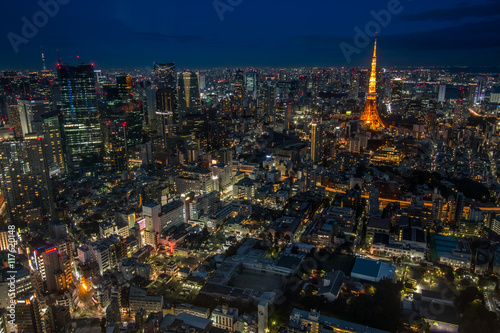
<point>82,132</point>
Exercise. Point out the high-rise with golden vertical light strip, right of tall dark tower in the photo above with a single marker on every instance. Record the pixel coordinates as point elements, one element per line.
<point>189,95</point>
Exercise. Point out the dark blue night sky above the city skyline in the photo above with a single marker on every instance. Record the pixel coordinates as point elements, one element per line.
<point>133,33</point>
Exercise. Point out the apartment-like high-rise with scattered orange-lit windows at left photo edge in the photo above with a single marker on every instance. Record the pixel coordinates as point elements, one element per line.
<point>25,181</point>
